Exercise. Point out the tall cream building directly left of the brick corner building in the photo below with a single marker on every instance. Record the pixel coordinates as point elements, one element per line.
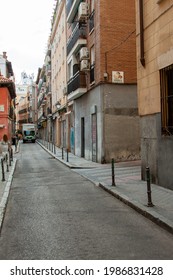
<point>58,75</point>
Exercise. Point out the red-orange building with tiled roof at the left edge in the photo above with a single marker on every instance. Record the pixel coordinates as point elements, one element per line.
<point>7,116</point>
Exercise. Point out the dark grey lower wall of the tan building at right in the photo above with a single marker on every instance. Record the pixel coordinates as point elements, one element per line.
<point>156,151</point>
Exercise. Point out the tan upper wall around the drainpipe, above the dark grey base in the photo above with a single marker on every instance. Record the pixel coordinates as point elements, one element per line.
<point>158,30</point>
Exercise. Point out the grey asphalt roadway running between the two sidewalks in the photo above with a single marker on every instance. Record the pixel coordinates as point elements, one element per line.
<point>55,213</point>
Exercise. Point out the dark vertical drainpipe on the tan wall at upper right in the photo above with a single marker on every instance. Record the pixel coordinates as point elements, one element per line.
<point>141,21</point>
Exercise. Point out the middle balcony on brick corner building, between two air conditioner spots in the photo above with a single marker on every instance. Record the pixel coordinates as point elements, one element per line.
<point>77,38</point>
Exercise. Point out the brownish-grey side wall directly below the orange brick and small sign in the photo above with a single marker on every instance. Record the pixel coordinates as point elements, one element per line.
<point>121,125</point>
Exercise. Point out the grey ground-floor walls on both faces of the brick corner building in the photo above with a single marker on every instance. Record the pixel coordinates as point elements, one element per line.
<point>117,122</point>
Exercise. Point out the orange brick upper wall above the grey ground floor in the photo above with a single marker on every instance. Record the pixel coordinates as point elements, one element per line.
<point>115,47</point>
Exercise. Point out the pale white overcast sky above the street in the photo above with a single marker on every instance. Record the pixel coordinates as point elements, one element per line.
<point>24,31</point>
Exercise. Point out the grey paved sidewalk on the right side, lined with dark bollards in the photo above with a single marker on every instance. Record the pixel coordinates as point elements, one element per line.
<point>129,188</point>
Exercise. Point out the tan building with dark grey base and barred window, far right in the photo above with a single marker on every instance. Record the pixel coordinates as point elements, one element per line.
<point>155,87</point>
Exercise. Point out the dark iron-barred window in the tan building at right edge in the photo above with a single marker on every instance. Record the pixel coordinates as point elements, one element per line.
<point>166,84</point>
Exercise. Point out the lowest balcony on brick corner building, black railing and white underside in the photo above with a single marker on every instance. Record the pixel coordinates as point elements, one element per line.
<point>76,86</point>
